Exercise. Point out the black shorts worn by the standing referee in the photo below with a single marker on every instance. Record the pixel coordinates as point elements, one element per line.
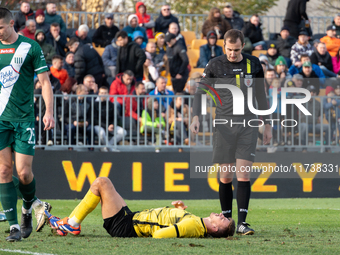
<point>236,141</point>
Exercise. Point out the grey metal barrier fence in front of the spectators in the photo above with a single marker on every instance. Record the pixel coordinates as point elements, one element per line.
<point>84,124</point>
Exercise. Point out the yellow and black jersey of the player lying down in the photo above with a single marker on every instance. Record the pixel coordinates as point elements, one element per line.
<point>167,223</point>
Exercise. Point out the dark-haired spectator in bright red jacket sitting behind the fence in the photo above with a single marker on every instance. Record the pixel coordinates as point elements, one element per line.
<point>124,84</point>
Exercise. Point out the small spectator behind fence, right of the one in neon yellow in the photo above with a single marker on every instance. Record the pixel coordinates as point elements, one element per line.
<point>179,119</point>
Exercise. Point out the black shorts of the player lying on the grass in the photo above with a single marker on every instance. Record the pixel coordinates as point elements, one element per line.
<point>120,225</point>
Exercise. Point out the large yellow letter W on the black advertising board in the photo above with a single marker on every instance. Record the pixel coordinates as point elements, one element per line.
<point>86,170</point>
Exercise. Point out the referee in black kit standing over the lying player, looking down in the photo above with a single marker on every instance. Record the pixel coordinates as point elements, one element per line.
<point>234,143</point>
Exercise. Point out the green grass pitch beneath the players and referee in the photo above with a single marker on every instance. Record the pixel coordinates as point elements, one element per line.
<point>294,226</point>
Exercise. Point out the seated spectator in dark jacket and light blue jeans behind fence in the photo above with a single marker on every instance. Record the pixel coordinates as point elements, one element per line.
<point>104,121</point>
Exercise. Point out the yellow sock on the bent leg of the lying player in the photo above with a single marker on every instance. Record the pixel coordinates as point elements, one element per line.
<point>87,205</point>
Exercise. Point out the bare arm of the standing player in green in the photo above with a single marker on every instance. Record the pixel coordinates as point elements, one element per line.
<point>47,94</point>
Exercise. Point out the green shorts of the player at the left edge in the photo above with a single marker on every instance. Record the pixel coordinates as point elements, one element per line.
<point>20,136</point>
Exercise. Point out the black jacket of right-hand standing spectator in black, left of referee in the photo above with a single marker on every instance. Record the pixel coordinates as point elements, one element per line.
<point>178,59</point>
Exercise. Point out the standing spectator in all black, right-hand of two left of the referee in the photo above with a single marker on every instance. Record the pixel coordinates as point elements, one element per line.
<point>178,63</point>
